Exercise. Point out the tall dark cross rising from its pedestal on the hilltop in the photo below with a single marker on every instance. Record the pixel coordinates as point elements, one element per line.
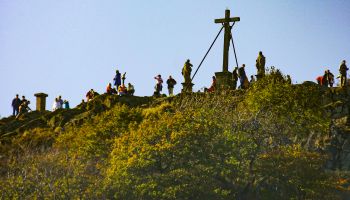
<point>226,22</point>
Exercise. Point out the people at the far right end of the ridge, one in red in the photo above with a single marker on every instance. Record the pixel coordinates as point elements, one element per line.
<point>327,80</point>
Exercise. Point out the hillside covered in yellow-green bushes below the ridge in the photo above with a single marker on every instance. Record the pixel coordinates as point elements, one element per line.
<point>272,141</point>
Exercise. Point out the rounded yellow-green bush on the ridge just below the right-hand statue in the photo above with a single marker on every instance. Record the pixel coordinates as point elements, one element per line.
<point>297,104</point>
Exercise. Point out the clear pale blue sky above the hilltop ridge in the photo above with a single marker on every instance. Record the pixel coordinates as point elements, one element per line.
<point>67,47</point>
